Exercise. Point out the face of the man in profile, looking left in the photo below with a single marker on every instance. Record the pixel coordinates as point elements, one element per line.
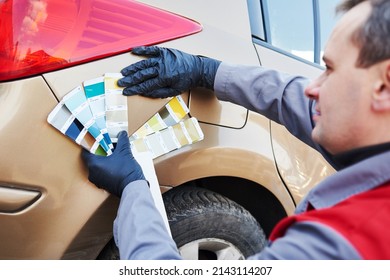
<point>343,91</point>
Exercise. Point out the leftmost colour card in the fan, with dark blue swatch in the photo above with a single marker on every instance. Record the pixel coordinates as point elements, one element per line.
<point>63,120</point>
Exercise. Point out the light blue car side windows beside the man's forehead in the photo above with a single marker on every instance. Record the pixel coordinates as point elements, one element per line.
<point>299,28</point>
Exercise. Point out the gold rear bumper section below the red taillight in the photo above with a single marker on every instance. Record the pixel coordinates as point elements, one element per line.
<point>38,159</point>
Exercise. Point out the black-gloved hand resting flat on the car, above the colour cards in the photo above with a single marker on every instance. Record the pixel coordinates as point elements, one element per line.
<point>167,72</point>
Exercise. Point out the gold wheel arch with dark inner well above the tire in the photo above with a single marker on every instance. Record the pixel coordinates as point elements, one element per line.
<point>255,184</point>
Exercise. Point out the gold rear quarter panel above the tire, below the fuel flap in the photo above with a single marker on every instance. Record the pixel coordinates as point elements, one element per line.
<point>243,153</point>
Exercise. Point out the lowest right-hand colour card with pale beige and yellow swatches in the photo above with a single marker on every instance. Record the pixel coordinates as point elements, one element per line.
<point>169,139</point>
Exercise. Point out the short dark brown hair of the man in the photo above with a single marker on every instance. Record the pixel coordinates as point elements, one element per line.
<point>373,36</point>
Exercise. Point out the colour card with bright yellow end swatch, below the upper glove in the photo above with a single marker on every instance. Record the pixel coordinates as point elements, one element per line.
<point>173,112</point>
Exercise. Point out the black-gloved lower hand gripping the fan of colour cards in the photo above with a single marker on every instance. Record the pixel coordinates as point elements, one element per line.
<point>113,173</point>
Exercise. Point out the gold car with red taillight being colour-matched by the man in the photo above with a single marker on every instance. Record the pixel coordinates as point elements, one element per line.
<point>223,195</point>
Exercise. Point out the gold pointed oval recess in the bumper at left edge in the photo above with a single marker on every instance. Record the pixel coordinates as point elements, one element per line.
<point>14,200</point>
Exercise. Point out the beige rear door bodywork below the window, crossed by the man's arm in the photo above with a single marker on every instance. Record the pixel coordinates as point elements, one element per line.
<point>300,166</point>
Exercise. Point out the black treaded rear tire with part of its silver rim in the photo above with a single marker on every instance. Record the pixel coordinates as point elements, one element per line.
<point>205,218</point>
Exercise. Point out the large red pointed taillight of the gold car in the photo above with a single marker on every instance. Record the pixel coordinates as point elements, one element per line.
<point>38,36</point>
